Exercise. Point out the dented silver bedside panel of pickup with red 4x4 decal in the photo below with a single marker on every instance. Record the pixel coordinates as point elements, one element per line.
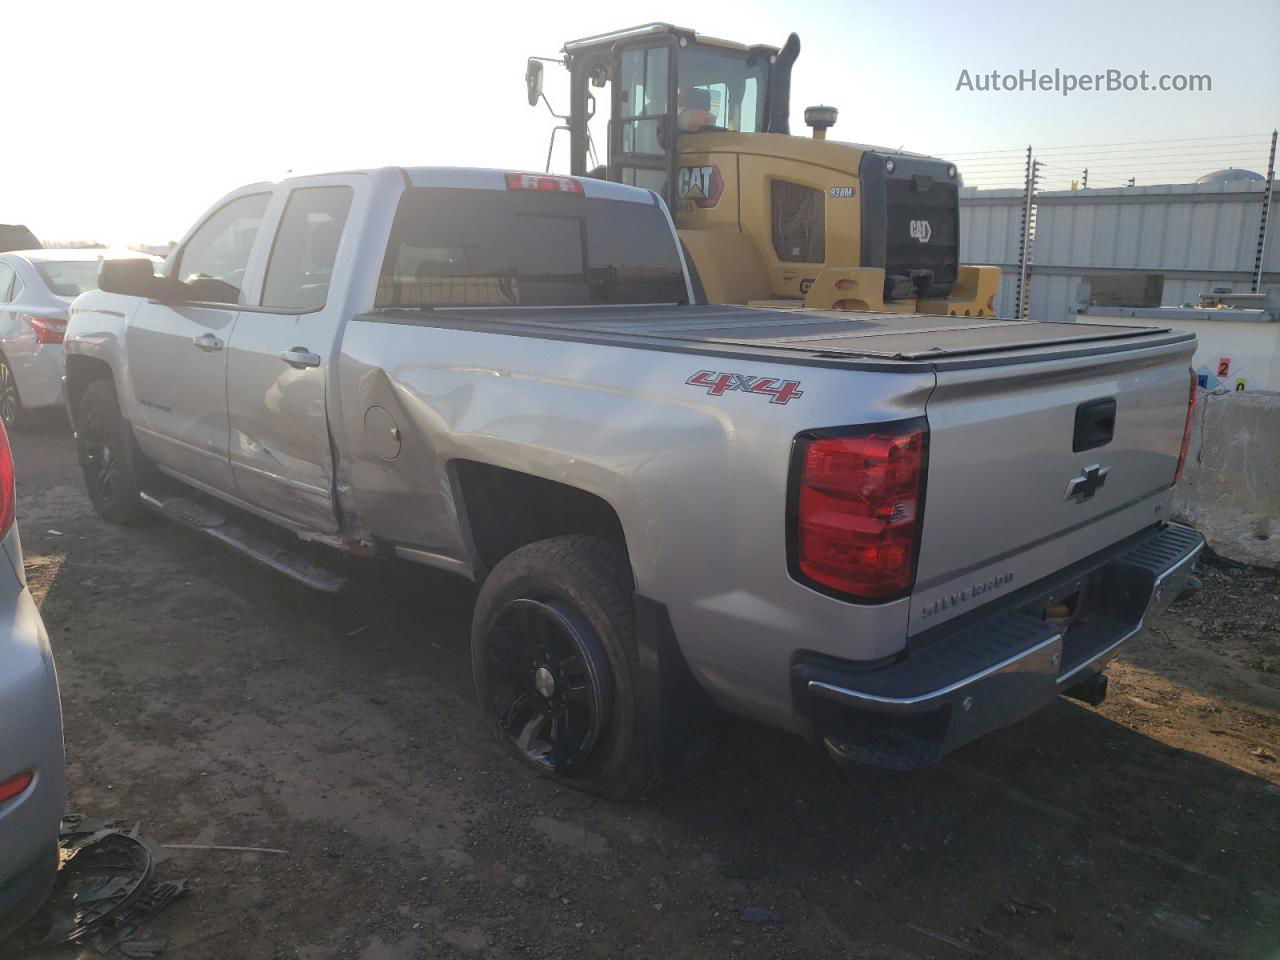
<point>698,482</point>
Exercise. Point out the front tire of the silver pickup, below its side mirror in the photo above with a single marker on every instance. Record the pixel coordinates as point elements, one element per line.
<point>109,456</point>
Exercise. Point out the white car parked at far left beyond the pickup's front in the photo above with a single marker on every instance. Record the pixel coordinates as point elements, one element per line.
<point>36,290</point>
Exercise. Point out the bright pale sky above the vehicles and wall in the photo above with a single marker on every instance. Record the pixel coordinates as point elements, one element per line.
<point>139,116</point>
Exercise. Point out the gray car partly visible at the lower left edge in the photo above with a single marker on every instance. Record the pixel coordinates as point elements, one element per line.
<point>33,781</point>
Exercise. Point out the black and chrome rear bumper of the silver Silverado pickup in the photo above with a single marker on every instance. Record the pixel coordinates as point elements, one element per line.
<point>995,673</point>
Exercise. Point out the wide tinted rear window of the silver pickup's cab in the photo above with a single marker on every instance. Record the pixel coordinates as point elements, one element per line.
<point>524,248</point>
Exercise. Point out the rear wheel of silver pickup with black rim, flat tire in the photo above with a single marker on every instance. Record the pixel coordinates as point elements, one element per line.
<point>556,661</point>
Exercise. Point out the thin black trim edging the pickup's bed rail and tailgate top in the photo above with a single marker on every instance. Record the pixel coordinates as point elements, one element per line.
<point>732,350</point>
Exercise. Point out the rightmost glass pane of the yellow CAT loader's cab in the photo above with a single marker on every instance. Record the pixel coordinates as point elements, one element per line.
<point>721,90</point>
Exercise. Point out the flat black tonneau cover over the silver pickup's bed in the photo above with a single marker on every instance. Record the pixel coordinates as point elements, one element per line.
<point>828,339</point>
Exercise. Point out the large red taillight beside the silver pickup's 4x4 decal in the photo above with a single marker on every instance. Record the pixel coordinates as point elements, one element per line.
<point>858,511</point>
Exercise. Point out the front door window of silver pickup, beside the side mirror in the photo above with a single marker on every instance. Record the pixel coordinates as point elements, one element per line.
<point>214,260</point>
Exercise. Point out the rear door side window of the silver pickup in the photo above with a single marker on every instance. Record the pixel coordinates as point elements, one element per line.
<point>305,249</point>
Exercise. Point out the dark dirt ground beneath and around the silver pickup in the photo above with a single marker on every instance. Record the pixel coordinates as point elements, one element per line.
<point>217,703</point>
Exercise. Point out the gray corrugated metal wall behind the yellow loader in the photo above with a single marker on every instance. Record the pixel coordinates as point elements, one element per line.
<point>1197,236</point>
